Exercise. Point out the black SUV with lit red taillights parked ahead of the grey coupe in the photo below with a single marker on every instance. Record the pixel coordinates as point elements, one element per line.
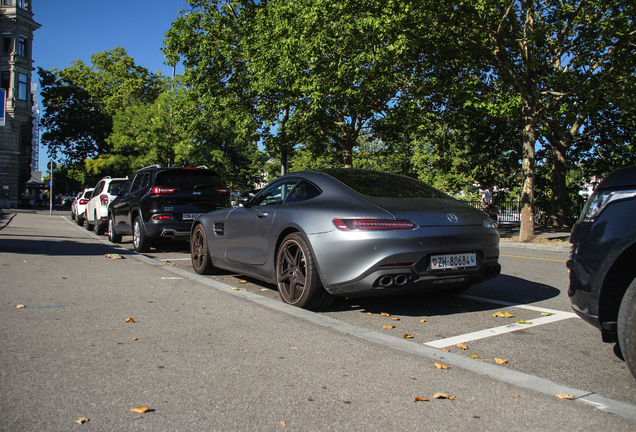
<point>162,203</point>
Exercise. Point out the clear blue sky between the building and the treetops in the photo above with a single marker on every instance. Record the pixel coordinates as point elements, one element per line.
<point>76,29</point>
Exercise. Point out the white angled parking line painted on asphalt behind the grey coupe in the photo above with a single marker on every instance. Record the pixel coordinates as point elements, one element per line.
<point>495,331</point>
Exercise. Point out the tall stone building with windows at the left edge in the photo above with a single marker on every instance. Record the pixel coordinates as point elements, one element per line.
<point>16,70</point>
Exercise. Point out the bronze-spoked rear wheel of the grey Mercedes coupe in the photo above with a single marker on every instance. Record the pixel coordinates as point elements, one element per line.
<point>297,277</point>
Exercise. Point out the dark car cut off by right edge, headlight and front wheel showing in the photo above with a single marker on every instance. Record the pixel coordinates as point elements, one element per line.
<point>602,262</point>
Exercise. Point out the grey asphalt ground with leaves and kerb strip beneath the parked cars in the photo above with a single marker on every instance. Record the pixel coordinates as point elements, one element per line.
<point>224,353</point>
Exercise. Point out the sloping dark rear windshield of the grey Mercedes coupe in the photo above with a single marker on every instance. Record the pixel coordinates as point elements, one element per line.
<point>385,185</point>
